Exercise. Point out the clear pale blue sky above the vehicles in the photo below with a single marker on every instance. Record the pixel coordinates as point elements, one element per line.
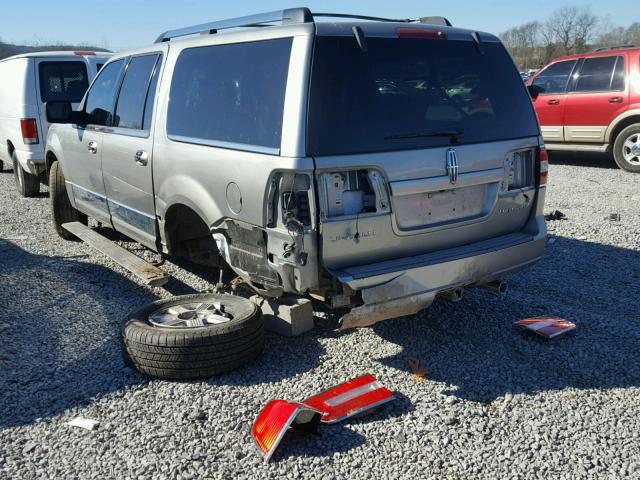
<point>122,24</point>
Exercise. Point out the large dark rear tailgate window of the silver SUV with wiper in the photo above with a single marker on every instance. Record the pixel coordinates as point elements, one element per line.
<point>413,93</point>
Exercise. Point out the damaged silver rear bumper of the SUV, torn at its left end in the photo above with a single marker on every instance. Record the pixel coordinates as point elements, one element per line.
<point>402,287</point>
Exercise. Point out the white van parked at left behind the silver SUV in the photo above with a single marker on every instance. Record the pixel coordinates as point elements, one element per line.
<point>27,82</point>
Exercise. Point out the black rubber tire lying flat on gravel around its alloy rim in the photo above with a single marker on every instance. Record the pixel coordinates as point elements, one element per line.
<point>185,353</point>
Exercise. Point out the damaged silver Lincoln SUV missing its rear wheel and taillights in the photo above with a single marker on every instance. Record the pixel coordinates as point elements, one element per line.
<point>370,163</point>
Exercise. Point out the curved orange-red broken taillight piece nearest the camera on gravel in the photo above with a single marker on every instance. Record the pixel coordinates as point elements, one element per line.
<point>274,420</point>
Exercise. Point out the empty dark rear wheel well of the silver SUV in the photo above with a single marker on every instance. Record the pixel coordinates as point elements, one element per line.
<point>187,235</point>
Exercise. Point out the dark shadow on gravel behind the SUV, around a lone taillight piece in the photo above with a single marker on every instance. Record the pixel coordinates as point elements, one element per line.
<point>472,347</point>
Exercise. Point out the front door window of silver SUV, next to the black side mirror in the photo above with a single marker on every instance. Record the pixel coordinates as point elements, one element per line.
<point>100,101</point>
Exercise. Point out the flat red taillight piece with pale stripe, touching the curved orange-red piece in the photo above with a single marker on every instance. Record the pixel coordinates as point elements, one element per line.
<point>350,398</point>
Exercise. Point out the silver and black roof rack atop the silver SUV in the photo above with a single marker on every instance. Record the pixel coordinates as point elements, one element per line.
<point>287,16</point>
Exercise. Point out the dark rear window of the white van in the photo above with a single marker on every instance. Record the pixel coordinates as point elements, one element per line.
<point>63,81</point>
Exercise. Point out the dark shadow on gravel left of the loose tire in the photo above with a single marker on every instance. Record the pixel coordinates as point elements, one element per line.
<point>54,354</point>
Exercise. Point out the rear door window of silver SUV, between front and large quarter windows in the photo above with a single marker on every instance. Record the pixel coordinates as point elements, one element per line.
<point>133,93</point>
